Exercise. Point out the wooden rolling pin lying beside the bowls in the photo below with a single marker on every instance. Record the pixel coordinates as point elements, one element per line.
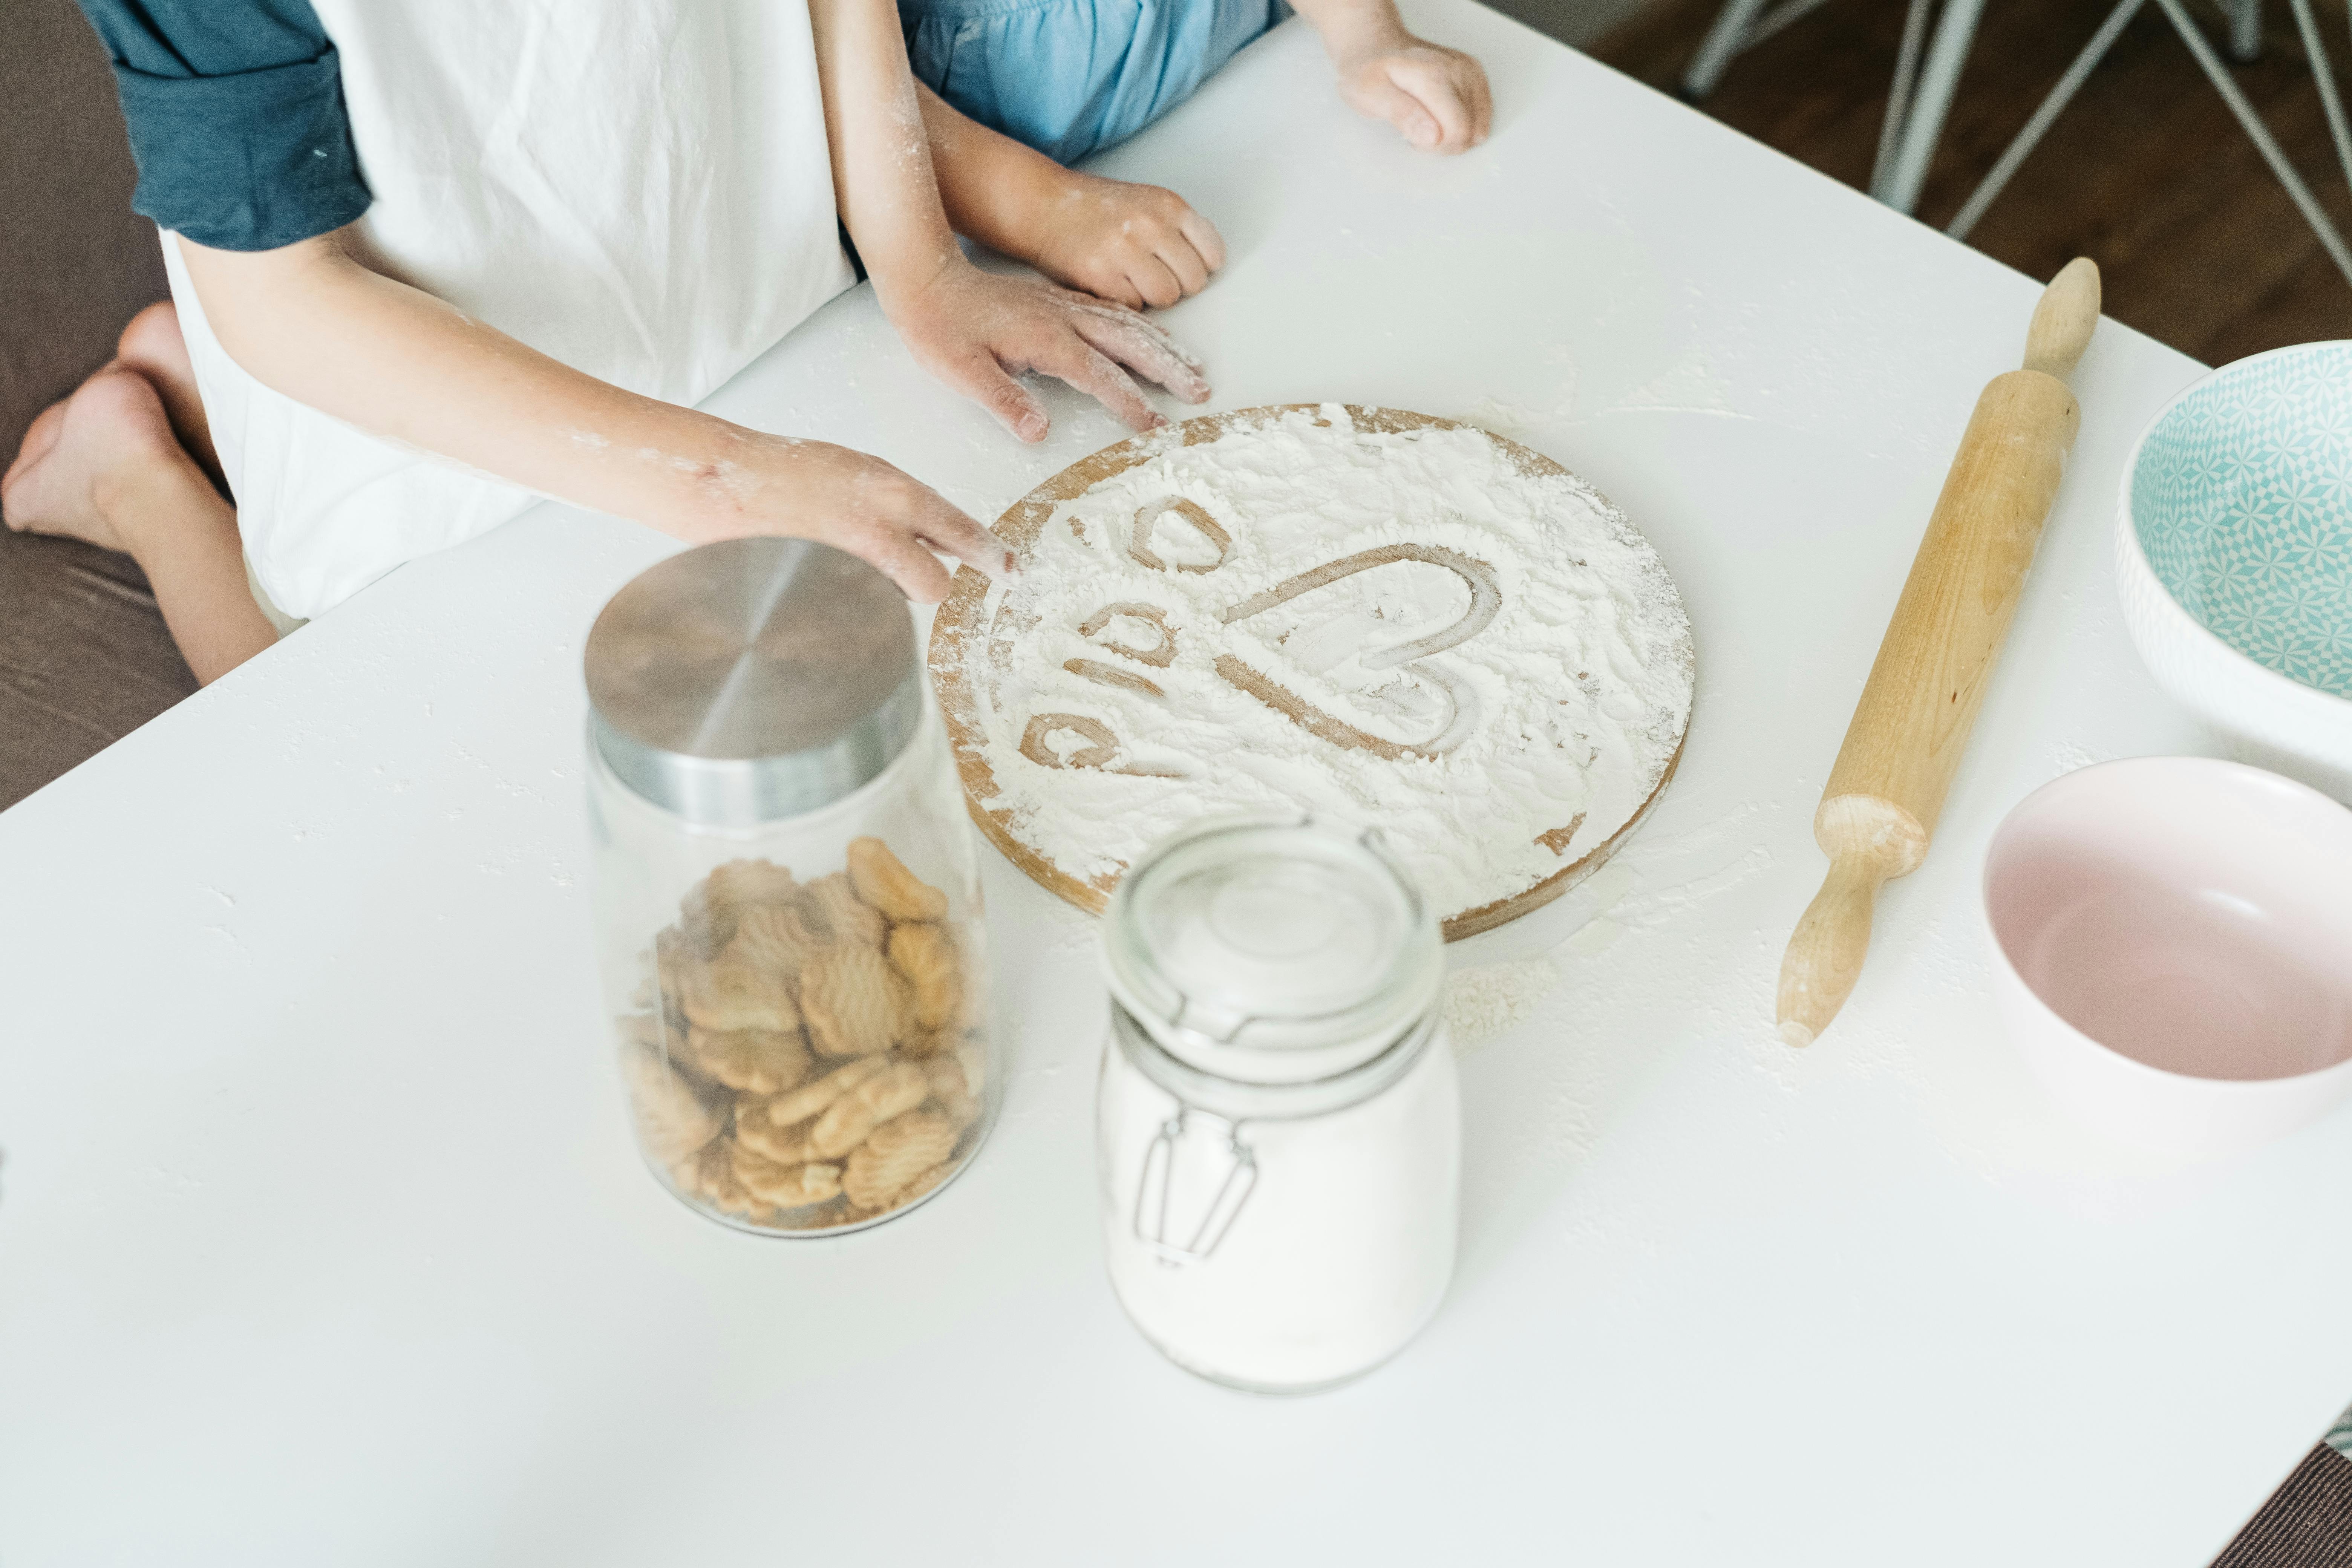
<point>1913,723</point>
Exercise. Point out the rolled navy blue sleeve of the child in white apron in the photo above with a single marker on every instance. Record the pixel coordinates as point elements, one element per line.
<point>236,116</point>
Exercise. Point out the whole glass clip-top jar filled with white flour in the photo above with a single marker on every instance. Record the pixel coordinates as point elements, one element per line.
<point>1278,1118</point>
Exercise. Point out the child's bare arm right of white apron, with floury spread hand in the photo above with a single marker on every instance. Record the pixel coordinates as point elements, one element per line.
<point>968,328</point>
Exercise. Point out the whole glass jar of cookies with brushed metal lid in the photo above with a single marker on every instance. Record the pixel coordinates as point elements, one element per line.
<point>787,890</point>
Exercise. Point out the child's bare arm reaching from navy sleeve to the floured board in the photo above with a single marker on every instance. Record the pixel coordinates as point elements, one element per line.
<point>326,330</point>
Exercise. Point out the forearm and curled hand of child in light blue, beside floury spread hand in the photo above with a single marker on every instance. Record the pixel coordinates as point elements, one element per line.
<point>1140,246</point>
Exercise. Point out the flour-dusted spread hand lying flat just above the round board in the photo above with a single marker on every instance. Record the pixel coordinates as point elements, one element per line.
<point>977,333</point>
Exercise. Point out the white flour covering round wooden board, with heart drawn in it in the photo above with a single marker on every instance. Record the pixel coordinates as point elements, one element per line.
<point>1523,746</point>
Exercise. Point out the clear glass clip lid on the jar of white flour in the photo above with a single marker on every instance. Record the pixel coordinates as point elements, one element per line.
<point>1274,951</point>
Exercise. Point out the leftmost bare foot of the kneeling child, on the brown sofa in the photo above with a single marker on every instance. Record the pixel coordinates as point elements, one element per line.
<point>109,431</point>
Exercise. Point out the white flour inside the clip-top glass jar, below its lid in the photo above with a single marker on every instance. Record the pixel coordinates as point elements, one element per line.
<point>1335,1261</point>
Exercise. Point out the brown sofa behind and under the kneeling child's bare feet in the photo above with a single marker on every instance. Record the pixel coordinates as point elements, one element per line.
<point>83,655</point>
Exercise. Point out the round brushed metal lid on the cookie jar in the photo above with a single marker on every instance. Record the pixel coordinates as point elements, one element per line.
<point>754,681</point>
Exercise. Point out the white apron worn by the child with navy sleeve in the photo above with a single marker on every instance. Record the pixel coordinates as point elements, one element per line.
<point>639,189</point>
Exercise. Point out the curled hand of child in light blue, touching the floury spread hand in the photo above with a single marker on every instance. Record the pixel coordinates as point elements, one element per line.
<point>1137,246</point>
